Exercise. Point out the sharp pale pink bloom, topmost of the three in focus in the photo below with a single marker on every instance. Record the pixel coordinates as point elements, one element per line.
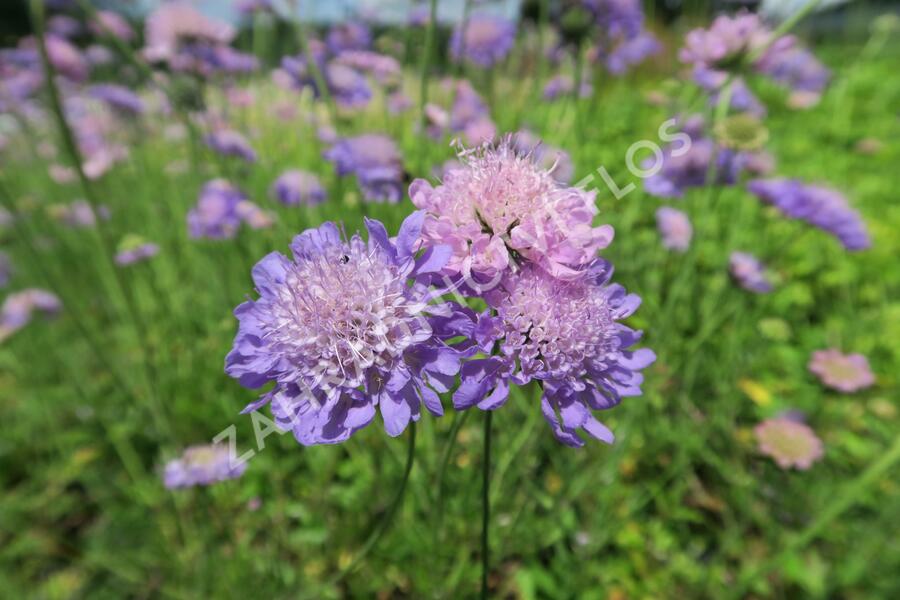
<point>500,205</point>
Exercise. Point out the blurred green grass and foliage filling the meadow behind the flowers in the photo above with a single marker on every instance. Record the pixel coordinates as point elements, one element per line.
<point>681,506</point>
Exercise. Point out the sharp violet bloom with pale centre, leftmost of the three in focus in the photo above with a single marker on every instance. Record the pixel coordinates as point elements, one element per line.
<point>345,326</point>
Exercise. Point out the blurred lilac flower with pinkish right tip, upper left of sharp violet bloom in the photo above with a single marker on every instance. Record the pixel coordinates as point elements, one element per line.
<point>220,210</point>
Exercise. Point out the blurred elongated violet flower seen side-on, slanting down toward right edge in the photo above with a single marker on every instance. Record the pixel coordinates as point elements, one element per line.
<point>821,207</point>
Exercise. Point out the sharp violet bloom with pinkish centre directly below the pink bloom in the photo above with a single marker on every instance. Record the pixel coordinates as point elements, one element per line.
<point>567,336</point>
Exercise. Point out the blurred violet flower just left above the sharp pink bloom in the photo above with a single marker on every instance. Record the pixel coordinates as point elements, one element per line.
<point>376,162</point>
